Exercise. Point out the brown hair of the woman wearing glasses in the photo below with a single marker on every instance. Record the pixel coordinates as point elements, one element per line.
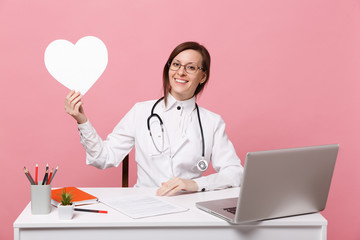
<point>205,65</point>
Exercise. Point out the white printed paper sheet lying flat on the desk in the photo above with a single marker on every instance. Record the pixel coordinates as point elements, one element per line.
<point>142,206</point>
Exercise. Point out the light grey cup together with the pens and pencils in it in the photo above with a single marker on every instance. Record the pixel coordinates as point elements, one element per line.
<point>40,191</point>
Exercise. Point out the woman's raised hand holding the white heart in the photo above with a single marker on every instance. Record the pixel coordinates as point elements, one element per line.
<point>73,106</point>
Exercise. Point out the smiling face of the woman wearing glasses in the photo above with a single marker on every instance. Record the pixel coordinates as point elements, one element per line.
<point>183,84</point>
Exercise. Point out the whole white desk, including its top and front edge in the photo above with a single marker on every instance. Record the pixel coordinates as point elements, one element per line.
<point>193,224</point>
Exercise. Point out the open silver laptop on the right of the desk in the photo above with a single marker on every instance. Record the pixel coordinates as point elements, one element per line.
<point>279,183</point>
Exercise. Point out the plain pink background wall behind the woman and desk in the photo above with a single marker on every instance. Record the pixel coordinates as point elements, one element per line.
<point>284,74</point>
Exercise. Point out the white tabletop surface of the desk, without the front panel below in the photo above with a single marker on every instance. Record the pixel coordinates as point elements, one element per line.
<point>193,217</point>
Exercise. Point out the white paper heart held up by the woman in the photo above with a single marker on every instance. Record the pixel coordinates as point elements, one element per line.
<point>76,66</point>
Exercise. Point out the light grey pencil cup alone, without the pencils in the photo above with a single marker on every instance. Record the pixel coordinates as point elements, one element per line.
<point>40,199</point>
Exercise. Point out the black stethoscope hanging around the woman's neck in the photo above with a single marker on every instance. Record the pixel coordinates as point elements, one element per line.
<point>202,164</point>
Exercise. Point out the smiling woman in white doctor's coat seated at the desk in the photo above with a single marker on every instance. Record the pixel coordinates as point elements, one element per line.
<point>174,138</point>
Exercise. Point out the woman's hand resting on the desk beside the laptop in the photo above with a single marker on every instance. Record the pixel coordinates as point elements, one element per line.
<point>175,185</point>
